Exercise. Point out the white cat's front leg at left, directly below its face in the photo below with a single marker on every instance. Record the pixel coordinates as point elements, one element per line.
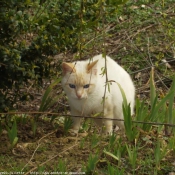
<point>75,121</point>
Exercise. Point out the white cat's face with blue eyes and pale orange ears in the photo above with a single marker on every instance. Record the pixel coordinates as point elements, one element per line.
<point>79,79</point>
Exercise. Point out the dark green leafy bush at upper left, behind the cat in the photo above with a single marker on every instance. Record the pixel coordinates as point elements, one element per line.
<point>32,32</point>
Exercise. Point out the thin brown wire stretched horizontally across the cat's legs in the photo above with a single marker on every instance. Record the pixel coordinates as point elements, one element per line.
<point>91,117</point>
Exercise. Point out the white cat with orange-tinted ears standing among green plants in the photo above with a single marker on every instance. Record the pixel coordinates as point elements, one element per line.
<point>84,83</point>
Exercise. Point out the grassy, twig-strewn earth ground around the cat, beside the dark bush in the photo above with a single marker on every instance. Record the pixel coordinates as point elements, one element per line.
<point>143,35</point>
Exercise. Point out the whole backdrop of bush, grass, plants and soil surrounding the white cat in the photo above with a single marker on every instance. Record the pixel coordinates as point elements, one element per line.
<point>36,36</point>
